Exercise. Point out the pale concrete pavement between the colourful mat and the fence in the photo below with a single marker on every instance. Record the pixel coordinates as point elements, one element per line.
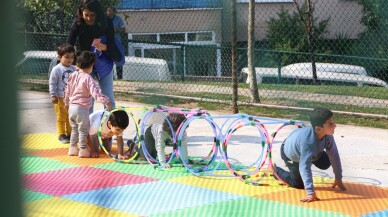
<point>363,151</point>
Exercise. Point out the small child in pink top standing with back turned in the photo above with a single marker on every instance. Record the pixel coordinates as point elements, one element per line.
<point>80,89</point>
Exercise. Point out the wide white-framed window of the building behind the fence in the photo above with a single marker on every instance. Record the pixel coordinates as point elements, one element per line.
<point>186,60</point>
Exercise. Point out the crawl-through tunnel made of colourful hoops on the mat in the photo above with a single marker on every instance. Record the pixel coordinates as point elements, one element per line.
<point>220,142</point>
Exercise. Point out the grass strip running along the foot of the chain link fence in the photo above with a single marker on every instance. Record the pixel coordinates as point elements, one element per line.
<point>252,110</point>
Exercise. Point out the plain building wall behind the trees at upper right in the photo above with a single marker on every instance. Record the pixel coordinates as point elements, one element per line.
<point>345,17</point>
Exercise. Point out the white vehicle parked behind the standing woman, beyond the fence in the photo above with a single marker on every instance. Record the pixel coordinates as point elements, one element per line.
<point>135,68</point>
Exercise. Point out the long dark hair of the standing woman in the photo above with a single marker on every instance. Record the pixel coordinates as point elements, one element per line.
<point>96,7</point>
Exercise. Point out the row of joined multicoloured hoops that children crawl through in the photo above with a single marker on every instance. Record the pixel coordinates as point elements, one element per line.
<point>222,129</point>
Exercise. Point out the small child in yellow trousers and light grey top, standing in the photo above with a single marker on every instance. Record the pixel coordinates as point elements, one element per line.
<point>57,83</point>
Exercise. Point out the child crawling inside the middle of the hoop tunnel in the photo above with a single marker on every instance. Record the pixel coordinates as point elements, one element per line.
<point>157,136</point>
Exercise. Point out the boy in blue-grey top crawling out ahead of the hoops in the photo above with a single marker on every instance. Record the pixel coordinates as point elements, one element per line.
<point>310,145</point>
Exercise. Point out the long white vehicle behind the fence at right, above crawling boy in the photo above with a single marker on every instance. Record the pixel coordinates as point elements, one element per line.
<point>330,73</point>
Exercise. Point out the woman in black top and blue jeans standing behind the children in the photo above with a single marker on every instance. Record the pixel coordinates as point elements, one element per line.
<point>95,32</point>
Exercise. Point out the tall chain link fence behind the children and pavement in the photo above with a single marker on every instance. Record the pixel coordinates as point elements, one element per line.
<point>307,53</point>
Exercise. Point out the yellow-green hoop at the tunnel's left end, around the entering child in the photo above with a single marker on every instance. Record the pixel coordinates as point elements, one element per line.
<point>144,109</point>
